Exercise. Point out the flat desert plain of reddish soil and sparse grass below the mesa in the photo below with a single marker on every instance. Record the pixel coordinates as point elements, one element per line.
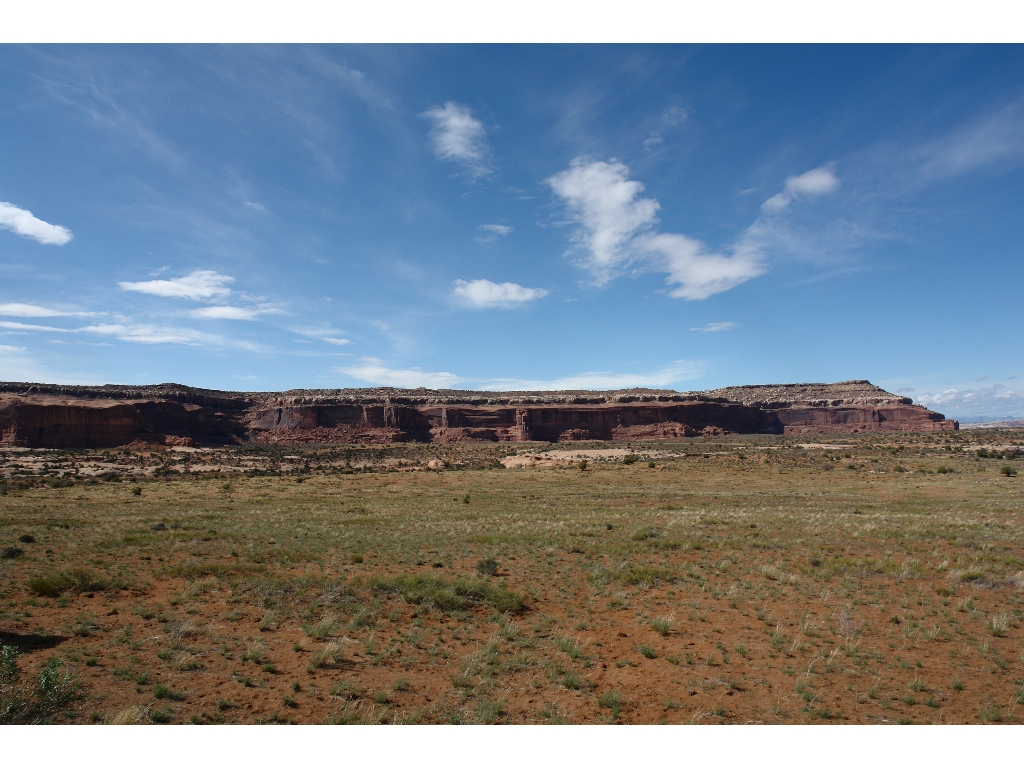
<point>860,579</point>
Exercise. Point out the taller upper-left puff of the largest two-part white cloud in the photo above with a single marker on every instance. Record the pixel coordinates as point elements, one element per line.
<point>606,203</point>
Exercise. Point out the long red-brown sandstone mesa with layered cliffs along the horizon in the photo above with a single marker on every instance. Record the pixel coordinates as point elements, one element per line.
<point>51,416</point>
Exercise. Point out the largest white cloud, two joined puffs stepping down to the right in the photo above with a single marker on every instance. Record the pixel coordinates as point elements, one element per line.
<point>615,223</point>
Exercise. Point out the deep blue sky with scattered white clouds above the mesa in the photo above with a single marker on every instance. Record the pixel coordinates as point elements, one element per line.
<point>264,219</point>
